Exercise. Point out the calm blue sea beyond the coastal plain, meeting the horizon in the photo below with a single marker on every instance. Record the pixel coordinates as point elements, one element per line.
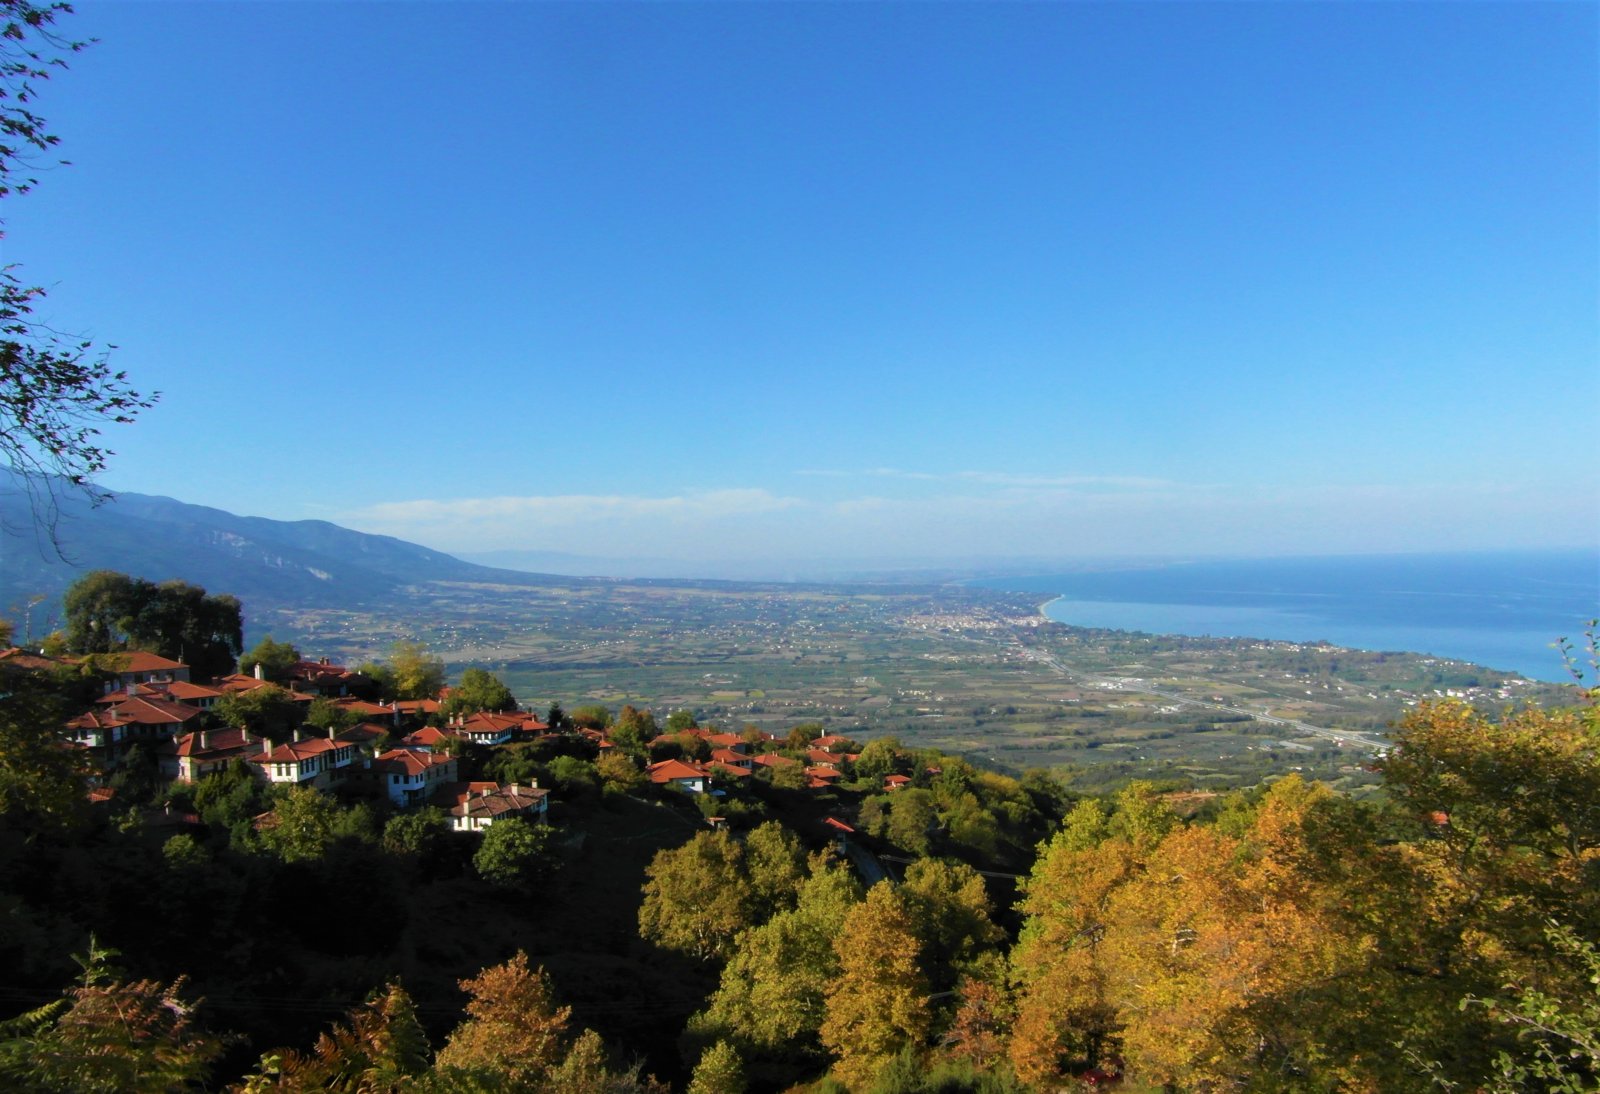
<point>1503,610</point>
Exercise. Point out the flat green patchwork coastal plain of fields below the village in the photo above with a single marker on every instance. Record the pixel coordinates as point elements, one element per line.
<point>970,671</point>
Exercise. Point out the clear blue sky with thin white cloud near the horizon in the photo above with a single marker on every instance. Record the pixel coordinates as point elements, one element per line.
<point>860,282</point>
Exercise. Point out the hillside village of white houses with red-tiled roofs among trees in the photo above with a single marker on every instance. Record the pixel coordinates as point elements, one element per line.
<point>409,753</point>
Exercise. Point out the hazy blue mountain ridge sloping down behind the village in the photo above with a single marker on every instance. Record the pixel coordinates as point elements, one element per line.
<point>268,564</point>
